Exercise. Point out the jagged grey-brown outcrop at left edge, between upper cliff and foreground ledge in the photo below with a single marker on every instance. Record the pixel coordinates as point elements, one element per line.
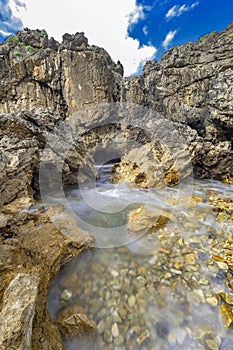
<point>23,136</point>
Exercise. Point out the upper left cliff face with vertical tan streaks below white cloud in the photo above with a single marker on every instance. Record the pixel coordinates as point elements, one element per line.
<point>37,72</point>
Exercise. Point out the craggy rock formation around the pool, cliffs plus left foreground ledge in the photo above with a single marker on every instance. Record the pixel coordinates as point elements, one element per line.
<point>65,93</point>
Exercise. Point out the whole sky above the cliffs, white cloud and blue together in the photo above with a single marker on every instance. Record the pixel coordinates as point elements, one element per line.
<point>131,31</point>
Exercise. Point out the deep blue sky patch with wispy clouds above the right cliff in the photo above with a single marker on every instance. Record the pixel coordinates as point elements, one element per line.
<point>184,20</point>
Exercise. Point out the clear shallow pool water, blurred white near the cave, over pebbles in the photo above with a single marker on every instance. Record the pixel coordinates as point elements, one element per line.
<point>151,290</point>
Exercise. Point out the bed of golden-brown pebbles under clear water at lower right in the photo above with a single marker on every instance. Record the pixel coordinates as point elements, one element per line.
<point>170,289</point>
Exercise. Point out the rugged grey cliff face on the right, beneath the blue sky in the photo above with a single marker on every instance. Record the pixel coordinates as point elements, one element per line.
<point>193,85</point>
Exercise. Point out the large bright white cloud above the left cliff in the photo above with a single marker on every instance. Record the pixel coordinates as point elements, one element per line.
<point>104,22</point>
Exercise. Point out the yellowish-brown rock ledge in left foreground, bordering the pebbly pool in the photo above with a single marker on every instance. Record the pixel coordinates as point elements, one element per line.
<point>32,252</point>
